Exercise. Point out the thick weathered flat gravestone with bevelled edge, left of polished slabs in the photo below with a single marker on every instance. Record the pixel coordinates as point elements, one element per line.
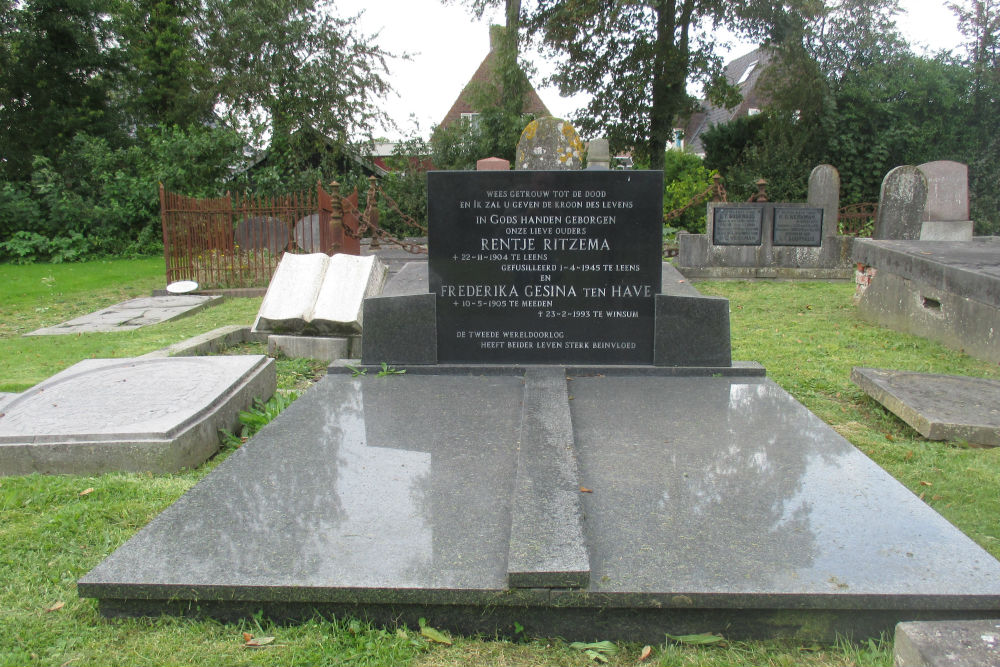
<point>151,414</point>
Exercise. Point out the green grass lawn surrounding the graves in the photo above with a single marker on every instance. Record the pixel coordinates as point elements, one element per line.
<point>54,529</point>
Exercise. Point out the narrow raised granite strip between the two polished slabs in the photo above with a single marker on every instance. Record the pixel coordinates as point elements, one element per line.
<point>547,544</point>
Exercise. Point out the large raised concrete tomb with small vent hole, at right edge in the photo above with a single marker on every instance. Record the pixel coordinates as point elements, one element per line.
<point>948,291</point>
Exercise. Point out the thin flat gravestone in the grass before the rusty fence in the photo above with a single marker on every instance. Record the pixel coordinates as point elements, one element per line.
<point>131,314</point>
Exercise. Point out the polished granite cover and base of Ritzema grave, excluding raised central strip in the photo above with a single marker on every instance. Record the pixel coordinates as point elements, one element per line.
<point>716,504</point>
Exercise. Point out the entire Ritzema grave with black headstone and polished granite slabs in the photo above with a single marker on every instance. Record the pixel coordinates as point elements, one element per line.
<point>643,485</point>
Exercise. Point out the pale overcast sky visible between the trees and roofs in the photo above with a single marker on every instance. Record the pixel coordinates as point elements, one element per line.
<point>447,44</point>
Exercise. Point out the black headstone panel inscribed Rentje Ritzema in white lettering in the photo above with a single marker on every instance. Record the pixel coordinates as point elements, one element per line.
<point>545,266</point>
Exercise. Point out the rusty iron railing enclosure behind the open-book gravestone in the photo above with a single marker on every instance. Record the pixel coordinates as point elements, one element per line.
<point>237,241</point>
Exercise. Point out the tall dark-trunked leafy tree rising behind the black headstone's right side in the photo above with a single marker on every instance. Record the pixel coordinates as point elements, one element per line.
<point>637,57</point>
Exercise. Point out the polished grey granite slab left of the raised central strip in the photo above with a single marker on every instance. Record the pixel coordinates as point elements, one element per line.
<point>362,485</point>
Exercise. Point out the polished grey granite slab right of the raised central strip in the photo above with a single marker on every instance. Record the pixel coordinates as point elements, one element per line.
<point>734,491</point>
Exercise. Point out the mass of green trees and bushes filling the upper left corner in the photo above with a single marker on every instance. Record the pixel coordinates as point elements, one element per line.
<point>101,99</point>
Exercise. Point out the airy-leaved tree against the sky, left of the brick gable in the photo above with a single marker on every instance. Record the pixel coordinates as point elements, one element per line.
<point>290,64</point>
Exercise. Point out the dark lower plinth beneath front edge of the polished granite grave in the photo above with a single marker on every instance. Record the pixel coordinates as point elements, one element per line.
<point>546,620</point>
